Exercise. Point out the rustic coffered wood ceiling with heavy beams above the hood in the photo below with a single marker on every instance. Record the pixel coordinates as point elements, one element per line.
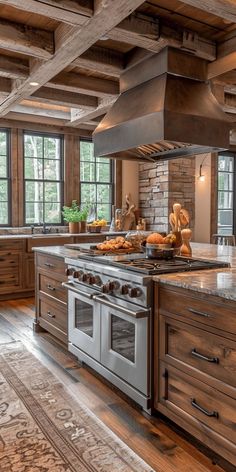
<point>75,51</point>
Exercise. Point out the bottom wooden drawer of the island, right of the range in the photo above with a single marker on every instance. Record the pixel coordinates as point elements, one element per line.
<point>182,394</point>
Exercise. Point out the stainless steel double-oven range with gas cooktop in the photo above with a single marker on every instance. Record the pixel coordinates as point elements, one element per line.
<point>110,311</point>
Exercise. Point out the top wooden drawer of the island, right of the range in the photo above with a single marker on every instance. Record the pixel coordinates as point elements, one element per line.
<point>204,311</point>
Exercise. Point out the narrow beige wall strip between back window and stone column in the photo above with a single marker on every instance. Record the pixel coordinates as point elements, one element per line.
<point>130,181</point>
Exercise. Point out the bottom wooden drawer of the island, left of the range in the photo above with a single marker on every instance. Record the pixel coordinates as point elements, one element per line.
<point>53,313</point>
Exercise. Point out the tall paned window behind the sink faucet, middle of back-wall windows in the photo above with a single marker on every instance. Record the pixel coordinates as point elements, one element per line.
<point>43,178</point>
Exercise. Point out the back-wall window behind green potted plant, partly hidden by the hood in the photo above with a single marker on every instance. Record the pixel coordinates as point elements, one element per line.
<point>96,181</point>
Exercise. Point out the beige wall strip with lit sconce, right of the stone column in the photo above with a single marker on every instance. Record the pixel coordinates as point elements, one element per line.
<point>203,200</point>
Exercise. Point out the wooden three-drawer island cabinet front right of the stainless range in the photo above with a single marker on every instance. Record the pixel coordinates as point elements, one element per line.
<point>195,365</point>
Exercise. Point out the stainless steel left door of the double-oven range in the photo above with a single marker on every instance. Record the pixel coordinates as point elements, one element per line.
<point>84,328</point>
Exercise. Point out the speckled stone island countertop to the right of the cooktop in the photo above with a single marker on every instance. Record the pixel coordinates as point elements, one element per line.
<point>219,282</point>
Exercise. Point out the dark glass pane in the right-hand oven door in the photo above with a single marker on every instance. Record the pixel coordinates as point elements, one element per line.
<point>123,337</point>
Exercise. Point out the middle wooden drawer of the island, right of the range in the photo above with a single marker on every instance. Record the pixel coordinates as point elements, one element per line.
<point>186,346</point>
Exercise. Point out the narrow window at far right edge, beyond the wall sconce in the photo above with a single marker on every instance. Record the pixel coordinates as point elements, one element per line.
<point>226,193</point>
